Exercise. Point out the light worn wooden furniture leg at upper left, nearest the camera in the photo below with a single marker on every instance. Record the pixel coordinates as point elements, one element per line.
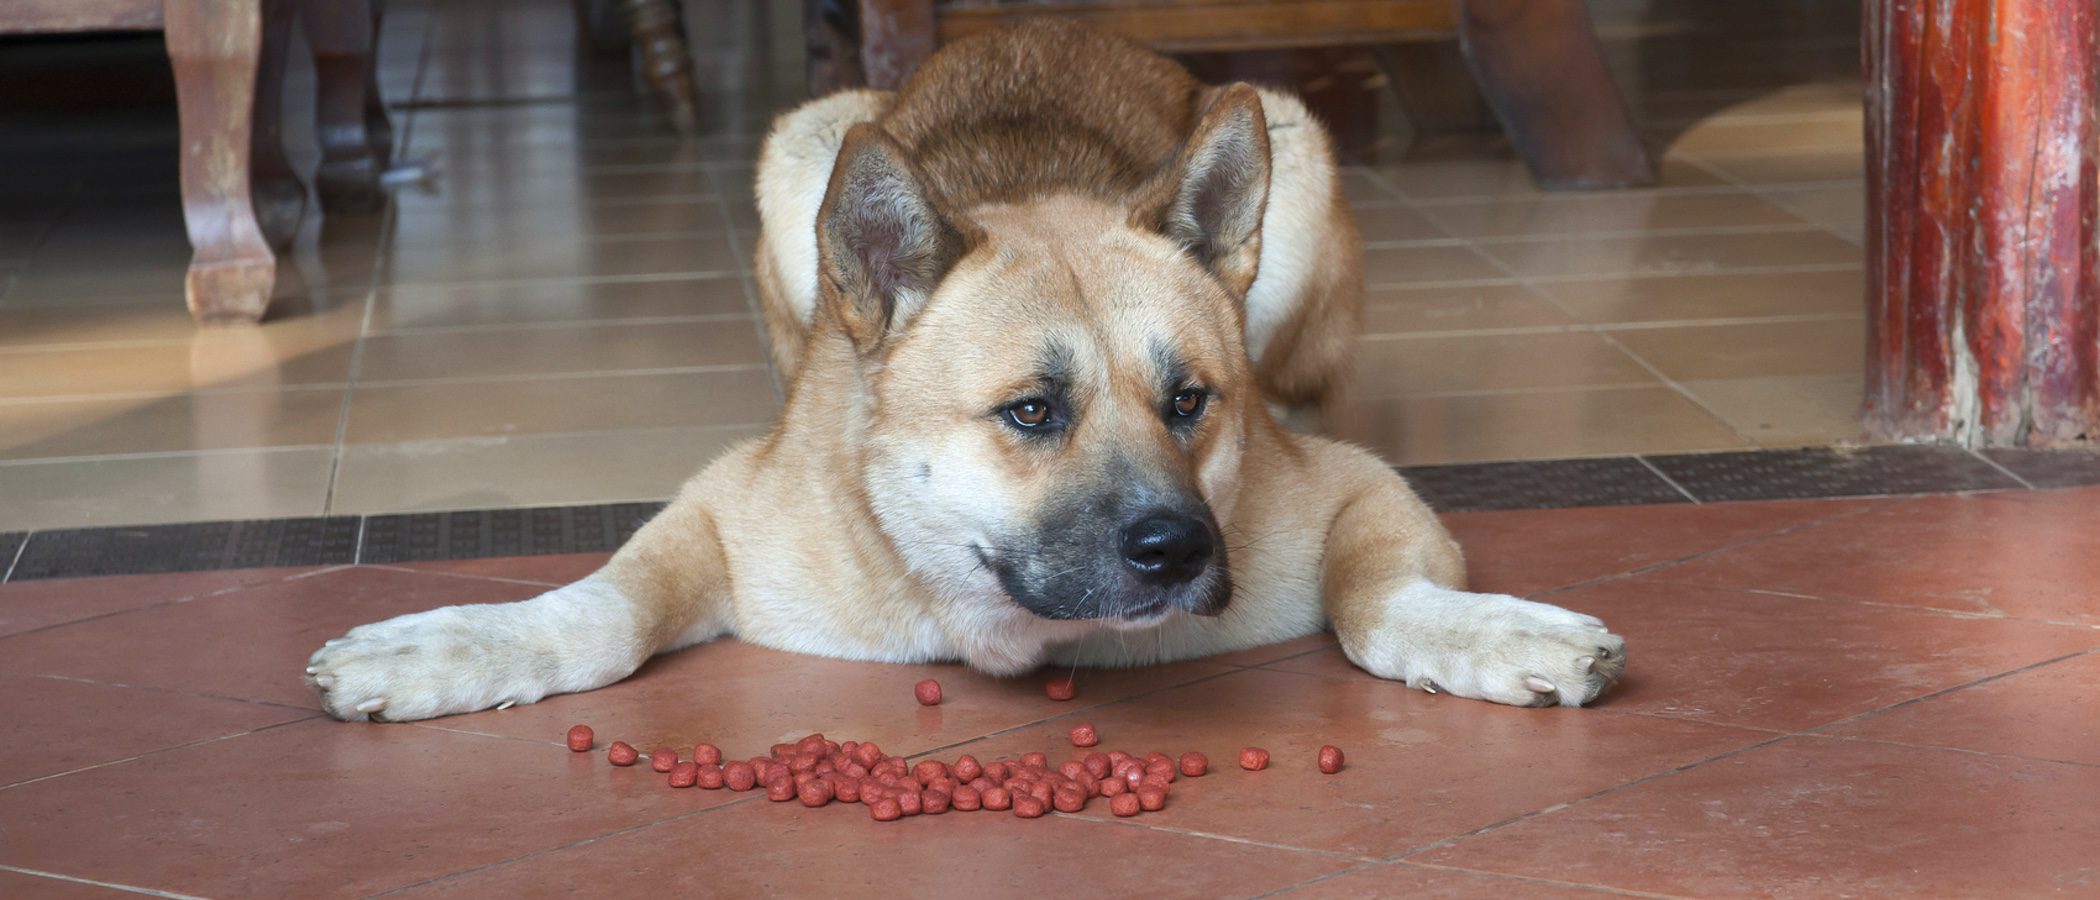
<point>215,47</point>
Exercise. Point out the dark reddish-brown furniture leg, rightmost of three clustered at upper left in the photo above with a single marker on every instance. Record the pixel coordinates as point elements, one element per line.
<point>341,35</point>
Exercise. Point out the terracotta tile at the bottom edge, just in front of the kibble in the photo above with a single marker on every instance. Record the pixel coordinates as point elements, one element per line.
<point>740,851</point>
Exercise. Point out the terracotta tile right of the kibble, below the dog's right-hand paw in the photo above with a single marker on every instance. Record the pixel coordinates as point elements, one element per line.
<point>1421,769</point>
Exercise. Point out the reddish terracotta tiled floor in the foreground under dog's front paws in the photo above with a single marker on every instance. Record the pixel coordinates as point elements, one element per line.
<point>1839,698</point>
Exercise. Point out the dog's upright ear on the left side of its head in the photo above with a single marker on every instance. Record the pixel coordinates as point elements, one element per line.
<point>881,240</point>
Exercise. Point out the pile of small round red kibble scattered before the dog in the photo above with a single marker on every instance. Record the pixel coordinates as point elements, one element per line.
<point>818,771</point>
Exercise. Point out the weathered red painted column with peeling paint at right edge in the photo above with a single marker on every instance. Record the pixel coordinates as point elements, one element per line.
<point>1983,288</point>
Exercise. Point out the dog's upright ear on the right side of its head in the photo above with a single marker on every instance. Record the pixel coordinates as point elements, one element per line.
<point>1213,194</point>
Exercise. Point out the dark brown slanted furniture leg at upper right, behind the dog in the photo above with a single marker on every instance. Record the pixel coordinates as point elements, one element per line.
<point>1545,77</point>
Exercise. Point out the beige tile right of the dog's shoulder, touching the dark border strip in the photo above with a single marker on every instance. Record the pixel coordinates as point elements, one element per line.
<point>1532,425</point>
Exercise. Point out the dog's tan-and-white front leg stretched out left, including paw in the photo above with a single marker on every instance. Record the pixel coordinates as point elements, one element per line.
<point>667,588</point>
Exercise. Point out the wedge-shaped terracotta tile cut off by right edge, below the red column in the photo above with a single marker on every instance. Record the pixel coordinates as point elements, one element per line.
<point>2044,714</point>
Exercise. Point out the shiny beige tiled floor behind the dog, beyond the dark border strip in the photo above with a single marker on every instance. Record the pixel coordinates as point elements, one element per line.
<point>566,312</point>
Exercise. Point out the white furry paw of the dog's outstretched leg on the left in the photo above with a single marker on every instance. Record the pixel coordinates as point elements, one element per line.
<point>415,668</point>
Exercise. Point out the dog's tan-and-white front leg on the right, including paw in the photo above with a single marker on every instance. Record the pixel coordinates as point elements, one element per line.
<point>1391,591</point>
